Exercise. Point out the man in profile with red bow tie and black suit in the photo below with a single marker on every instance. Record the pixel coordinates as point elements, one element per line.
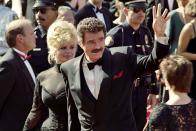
<point>17,78</point>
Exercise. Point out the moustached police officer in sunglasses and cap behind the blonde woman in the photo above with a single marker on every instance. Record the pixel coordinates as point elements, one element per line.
<point>46,12</point>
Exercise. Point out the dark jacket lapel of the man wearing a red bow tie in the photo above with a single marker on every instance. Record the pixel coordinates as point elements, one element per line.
<point>21,66</point>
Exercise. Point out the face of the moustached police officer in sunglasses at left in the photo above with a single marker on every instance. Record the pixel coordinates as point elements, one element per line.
<point>45,16</point>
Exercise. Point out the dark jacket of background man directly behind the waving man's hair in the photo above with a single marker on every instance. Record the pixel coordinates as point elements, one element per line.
<point>87,11</point>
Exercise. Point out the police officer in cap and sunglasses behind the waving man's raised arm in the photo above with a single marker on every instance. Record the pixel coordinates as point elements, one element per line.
<point>133,33</point>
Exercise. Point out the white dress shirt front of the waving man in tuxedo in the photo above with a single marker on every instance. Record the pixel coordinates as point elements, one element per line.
<point>93,78</point>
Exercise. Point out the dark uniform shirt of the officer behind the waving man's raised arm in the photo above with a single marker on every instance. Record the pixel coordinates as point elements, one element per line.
<point>124,35</point>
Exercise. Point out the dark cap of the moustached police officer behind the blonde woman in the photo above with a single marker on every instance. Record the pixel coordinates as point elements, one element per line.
<point>43,3</point>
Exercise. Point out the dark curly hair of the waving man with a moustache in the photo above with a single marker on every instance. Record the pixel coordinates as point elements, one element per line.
<point>90,24</point>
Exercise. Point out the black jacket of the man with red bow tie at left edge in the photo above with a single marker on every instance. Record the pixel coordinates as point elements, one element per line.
<point>16,92</point>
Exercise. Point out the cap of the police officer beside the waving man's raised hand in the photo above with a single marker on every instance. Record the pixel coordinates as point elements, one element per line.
<point>136,3</point>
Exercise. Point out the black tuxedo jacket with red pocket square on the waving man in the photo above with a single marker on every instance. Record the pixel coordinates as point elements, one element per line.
<point>112,111</point>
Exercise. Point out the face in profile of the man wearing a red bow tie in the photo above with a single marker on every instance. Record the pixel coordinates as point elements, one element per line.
<point>29,38</point>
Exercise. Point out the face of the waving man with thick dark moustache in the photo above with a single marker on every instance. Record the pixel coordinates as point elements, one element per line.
<point>93,45</point>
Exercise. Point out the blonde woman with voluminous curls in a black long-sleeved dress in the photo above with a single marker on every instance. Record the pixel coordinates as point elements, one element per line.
<point>49,107</point>
